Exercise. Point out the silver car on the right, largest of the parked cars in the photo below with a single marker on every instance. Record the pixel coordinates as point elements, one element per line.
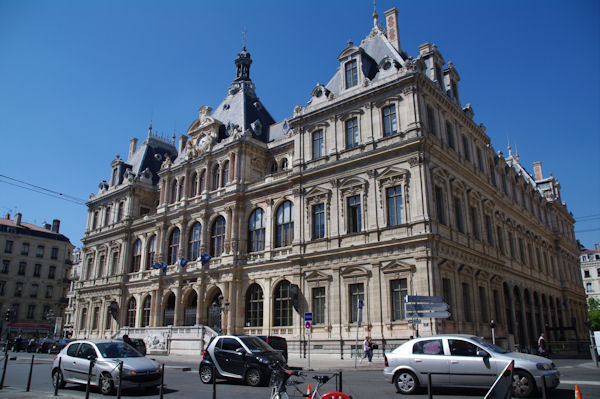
<point>463,361</point>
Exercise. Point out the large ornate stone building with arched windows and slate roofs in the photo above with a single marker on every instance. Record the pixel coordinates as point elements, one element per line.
<point>383,185</point>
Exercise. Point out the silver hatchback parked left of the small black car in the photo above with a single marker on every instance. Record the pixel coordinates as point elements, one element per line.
<point>138,371</point>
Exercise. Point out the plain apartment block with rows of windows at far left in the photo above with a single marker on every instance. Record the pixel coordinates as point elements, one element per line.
<point>34,262</point>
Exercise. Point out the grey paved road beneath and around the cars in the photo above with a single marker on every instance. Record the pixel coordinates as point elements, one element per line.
<point>365,382</point>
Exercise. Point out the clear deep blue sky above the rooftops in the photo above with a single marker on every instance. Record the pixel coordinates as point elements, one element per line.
<point>78,79</point>
